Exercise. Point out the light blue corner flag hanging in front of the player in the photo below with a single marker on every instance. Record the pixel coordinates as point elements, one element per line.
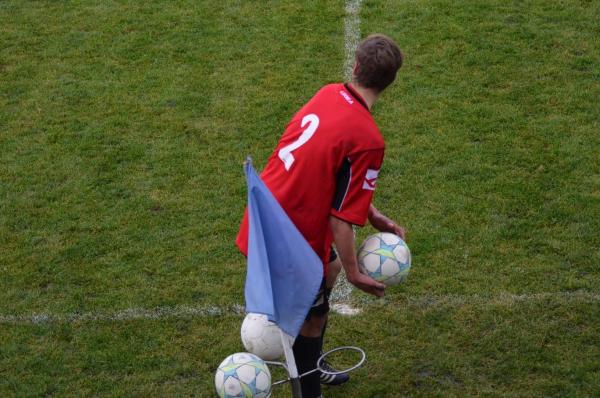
<point>284,272</point>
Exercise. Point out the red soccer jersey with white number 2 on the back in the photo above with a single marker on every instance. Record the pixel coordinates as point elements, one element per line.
<point>326,163</point>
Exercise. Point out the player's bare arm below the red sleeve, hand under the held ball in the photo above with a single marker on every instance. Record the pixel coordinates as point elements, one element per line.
<point>343,235</point>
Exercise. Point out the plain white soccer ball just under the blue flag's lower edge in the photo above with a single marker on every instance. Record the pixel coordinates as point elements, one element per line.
<point>261,337</point>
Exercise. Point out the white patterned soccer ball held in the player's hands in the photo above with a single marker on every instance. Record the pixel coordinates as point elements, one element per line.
<point>385,257</point>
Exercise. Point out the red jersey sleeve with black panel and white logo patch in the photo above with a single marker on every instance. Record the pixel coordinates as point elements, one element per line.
<point>355,185</point>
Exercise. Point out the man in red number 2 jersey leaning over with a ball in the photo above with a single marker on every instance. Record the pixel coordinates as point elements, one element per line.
<point>323,173</point>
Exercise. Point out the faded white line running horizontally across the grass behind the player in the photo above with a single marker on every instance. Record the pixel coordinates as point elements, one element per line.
<point>407,302</point>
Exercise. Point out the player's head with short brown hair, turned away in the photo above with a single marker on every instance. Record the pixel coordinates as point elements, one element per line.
<point>378,59</point>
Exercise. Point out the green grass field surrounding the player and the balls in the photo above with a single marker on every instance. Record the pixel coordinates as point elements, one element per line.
<point>123,127</point>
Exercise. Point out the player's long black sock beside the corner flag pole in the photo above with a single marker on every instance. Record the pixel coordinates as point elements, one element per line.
<point>306,353</point>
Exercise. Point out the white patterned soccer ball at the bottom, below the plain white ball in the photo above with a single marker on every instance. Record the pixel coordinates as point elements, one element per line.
<point>243,375</point>
